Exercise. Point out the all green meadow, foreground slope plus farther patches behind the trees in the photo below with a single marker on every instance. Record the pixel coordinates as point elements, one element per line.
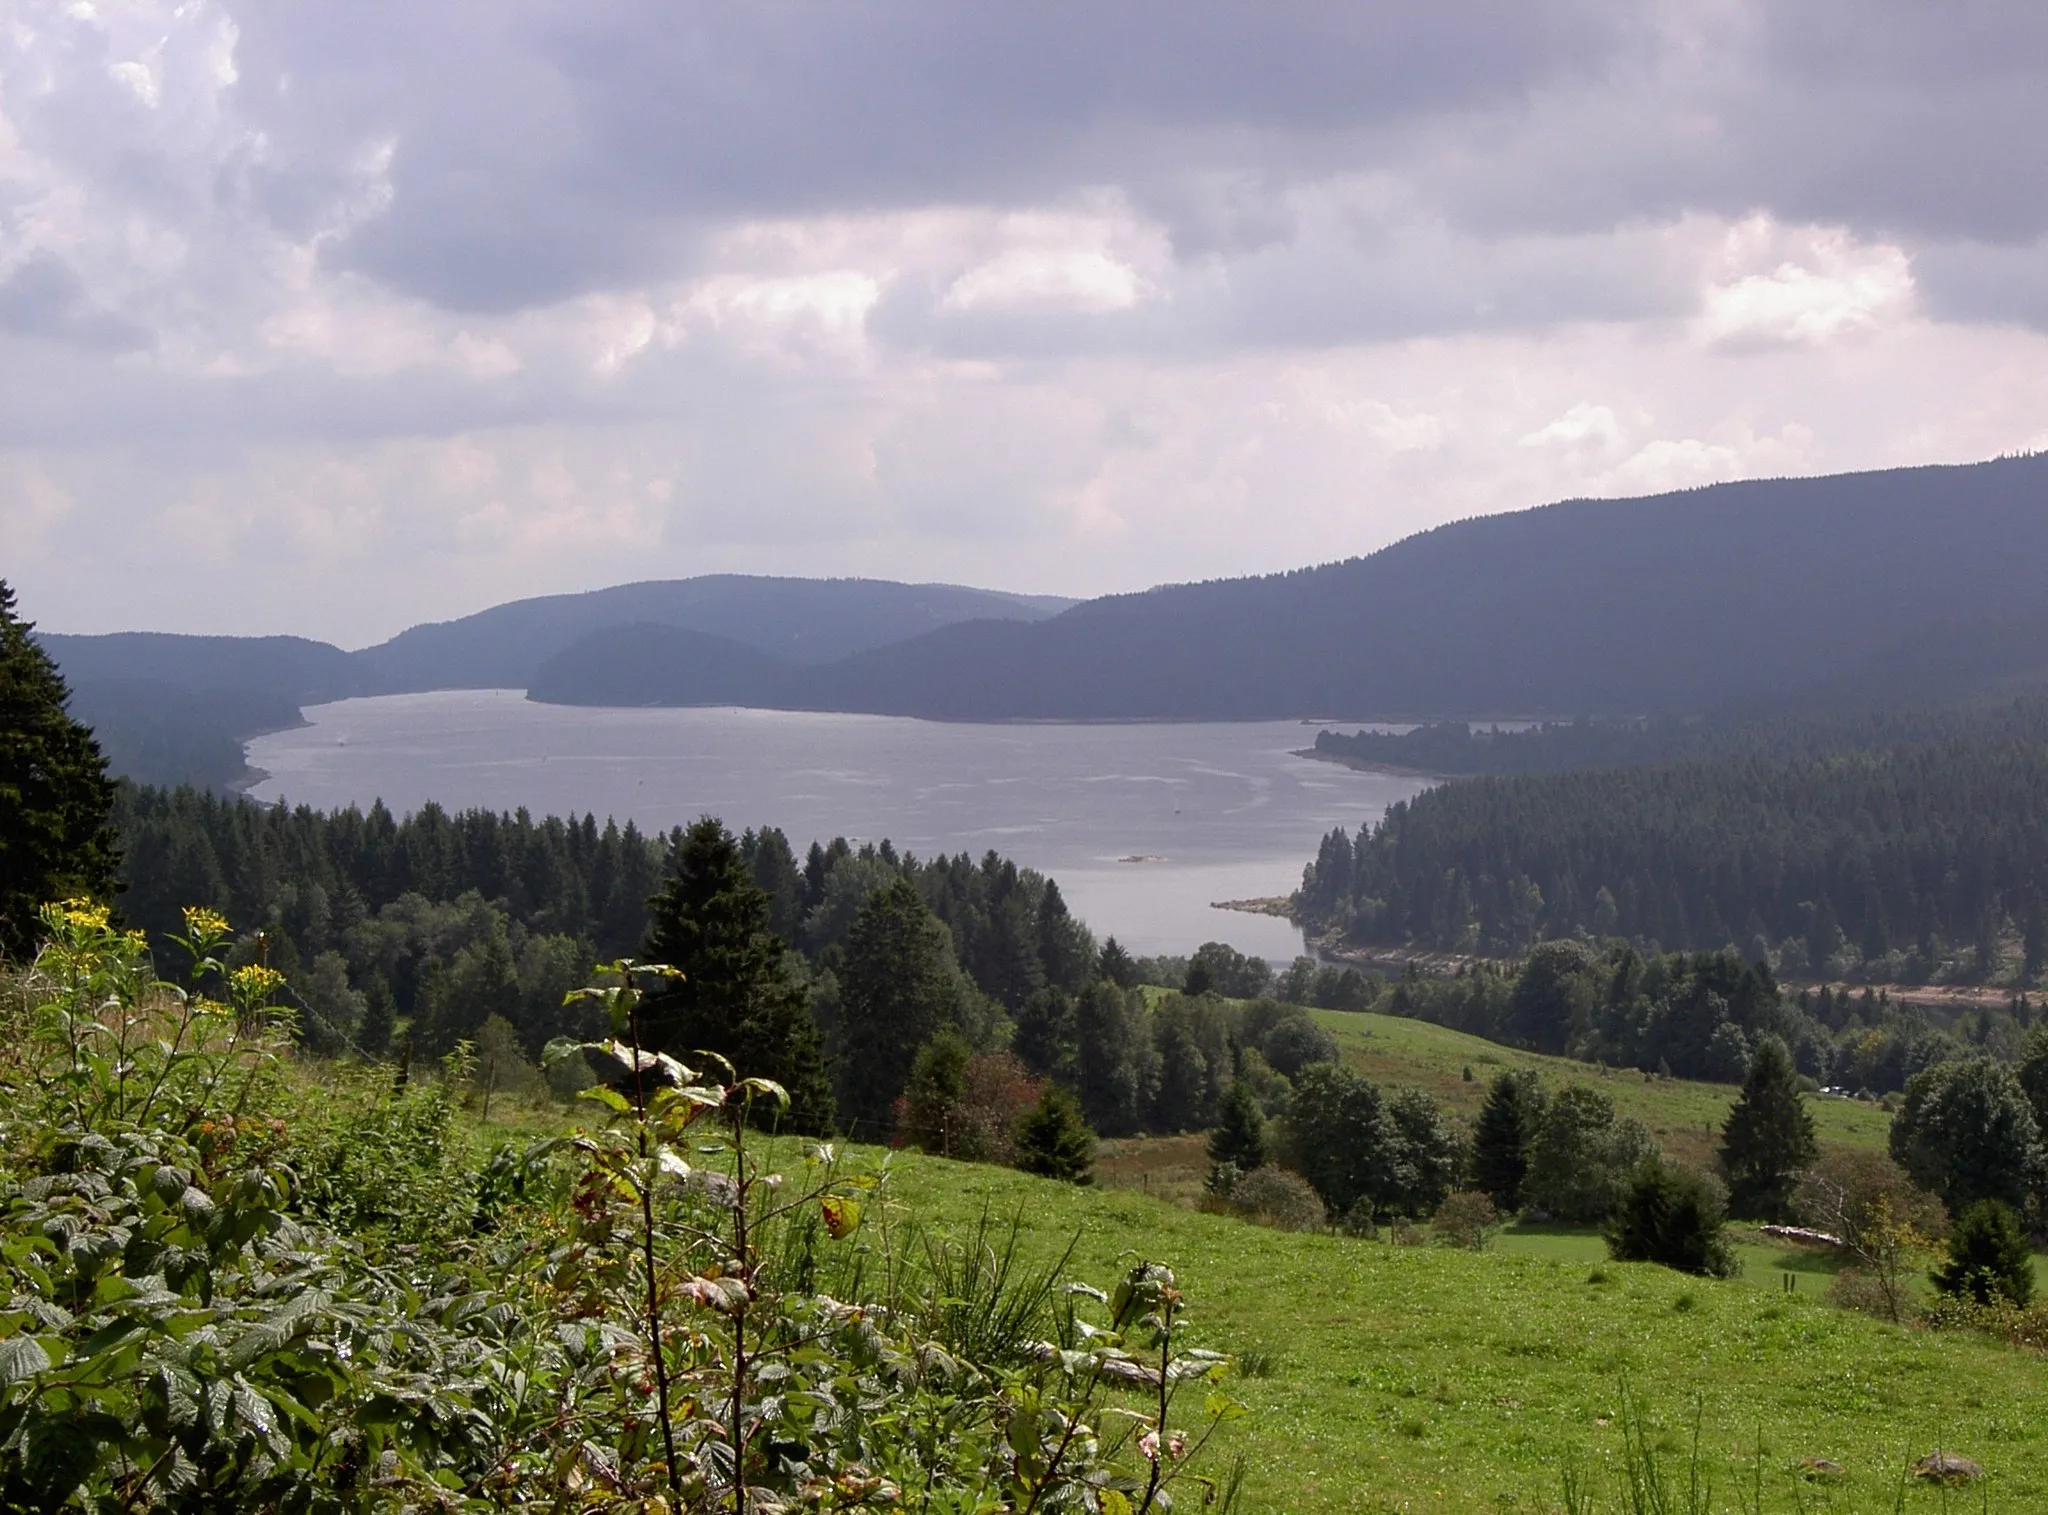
<point>1420,1379</point>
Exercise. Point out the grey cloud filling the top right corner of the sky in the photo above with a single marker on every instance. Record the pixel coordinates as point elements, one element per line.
<point>1895,118</point>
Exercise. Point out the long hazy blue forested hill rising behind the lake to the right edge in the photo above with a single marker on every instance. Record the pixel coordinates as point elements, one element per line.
<point>1742,593</point>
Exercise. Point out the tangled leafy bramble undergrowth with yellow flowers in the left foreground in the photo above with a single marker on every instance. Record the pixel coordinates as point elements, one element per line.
<point>214,1305</point>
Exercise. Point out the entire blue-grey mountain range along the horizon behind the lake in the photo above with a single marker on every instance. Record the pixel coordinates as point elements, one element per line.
<point>1859,591</point>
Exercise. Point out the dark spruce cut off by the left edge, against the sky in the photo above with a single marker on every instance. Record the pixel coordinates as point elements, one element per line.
<point>56,799</point>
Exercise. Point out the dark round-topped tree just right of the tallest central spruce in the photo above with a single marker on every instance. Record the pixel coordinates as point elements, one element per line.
<point>898,986</point>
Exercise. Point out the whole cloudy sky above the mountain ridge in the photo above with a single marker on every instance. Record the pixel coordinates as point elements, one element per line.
<point>337,316</point>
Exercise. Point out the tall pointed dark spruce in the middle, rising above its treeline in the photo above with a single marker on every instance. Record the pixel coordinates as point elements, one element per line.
<point>736,996</point>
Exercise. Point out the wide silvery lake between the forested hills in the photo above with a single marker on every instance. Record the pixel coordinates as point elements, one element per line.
<point>1144,826</point>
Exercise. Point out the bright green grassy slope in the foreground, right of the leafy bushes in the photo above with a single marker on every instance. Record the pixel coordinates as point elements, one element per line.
<point>1416,1379</point>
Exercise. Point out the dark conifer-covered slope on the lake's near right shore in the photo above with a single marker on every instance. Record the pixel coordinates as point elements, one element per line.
<point>1895,865</point>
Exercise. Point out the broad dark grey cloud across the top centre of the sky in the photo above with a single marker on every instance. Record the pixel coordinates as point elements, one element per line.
<point>546,153</point>
